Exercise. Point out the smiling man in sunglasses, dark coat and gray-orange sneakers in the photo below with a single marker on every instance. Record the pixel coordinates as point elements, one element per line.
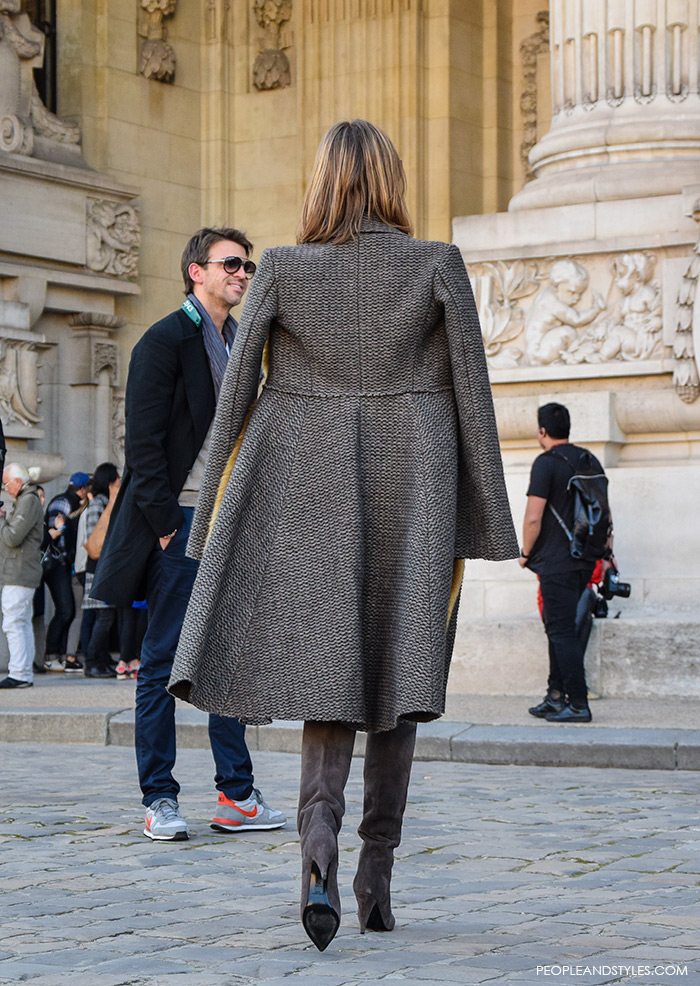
<point>175,375</point>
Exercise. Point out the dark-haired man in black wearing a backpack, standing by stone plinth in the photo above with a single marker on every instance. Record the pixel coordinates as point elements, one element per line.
<point>546,550</point>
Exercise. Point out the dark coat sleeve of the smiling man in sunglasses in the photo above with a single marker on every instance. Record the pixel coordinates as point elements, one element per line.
<point>150,389</point>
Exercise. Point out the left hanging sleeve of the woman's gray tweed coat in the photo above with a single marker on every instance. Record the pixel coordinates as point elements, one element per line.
<point>238,393</point>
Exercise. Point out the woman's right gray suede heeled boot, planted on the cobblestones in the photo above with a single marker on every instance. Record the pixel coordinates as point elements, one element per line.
<point>388,759</point>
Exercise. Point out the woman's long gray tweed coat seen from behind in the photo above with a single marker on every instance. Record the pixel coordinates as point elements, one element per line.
<point>368,464</point>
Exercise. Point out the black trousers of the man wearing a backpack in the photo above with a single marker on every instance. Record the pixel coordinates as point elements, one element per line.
<point>561,594</point>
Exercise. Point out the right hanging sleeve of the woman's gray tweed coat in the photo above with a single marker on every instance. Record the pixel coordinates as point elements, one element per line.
<point>484,523</point>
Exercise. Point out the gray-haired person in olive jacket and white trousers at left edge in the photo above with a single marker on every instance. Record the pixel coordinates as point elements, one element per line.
<point>21,532</point>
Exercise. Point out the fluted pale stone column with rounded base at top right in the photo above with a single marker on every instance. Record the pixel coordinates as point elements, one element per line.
<point>625,103</point>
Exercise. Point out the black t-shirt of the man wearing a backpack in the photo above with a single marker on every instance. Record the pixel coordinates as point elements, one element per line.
<point>548,479</point>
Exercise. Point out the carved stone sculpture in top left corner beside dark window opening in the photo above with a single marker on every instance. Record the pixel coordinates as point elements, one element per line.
<point>22,114</point>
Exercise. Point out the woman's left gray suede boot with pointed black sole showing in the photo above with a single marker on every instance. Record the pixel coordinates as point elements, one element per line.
<point>326,754</point>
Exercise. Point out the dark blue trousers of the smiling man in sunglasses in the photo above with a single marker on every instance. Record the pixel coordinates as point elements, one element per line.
<point>170,578</point>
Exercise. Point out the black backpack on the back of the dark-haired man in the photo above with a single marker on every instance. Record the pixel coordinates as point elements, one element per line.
<point>588,538</point>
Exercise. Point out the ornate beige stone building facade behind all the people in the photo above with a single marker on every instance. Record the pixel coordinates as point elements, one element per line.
<point>558,148</point>
